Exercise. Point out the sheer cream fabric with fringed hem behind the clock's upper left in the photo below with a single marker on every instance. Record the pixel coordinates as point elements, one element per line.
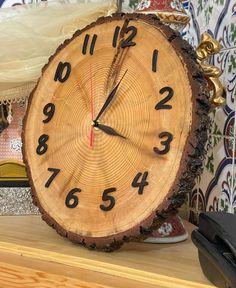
<point>29,34</point>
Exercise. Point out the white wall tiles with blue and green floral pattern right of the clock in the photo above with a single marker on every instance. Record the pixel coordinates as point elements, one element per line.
<point>216,188</point>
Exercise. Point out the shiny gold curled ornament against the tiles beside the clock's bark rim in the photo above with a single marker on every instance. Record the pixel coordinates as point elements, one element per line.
<point>208,47</point>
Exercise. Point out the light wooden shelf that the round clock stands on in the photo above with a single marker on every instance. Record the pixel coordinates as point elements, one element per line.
<point>32,255</point>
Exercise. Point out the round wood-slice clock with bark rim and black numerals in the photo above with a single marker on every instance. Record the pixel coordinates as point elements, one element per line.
<point>115,130</point>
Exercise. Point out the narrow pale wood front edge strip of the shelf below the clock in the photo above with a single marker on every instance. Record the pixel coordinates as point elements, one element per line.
<point>101,267</point>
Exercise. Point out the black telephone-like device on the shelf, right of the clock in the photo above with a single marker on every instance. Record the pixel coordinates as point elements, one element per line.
<point>216,243</point>
